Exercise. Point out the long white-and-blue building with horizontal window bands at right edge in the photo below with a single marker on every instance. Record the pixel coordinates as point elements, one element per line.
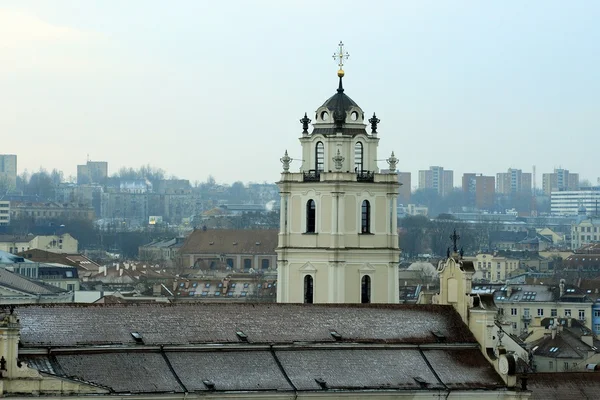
<point>575,202</point>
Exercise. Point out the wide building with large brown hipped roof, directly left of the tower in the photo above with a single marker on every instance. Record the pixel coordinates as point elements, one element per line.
<point>229,249</point>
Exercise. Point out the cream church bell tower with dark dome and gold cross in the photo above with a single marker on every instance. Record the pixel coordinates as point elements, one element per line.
<point>338,240</point>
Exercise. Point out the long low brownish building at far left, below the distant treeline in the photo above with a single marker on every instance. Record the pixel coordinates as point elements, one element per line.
<point>51,211</point>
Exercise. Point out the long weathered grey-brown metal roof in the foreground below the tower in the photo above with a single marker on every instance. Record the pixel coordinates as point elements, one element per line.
<point>271,352</point>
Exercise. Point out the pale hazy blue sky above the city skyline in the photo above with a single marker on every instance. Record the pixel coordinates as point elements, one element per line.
<point>198,87</point>
